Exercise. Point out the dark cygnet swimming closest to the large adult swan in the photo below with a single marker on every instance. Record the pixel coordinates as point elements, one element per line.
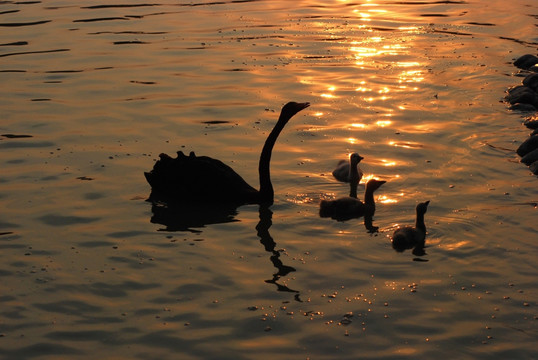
<point>350,207</point>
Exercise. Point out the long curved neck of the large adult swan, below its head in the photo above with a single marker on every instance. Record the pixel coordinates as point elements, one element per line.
<point>266,187</point>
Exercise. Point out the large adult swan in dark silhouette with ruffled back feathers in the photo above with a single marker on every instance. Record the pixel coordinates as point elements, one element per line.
<point>203,179</point>
